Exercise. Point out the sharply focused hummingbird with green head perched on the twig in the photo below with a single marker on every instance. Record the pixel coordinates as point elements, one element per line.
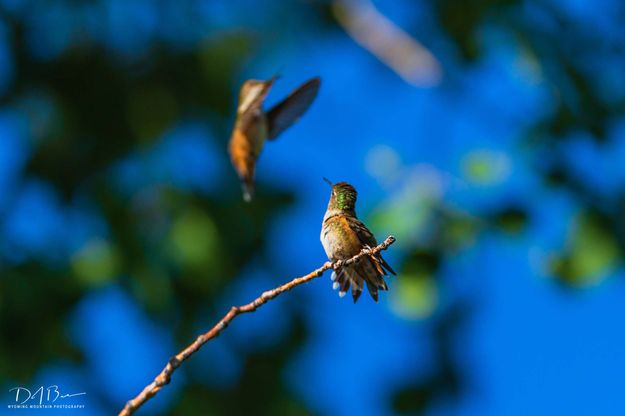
<point>343,236</point>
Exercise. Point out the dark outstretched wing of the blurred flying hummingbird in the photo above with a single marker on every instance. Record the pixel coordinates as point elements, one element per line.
<point>285,113</point>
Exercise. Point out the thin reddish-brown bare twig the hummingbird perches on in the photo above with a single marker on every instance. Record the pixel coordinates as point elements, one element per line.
<point>164,377</point>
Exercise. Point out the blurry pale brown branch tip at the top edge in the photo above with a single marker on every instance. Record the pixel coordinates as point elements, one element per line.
<point>388,42</point>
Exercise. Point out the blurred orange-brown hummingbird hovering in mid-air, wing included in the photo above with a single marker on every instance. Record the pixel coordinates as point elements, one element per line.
<point>254,125</point>
